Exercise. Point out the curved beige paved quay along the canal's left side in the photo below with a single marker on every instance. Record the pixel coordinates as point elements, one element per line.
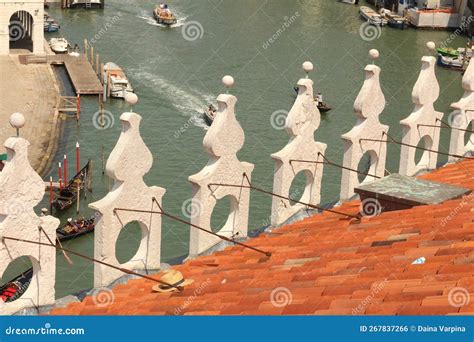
<point>32,90</point>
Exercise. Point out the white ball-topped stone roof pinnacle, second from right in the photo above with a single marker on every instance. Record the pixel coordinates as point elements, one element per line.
<point>424,95</point>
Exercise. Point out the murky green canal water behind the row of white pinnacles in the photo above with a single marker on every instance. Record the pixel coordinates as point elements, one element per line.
<point>175,78</point>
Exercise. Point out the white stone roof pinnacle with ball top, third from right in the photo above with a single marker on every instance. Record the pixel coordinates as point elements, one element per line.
<point>368,106</point>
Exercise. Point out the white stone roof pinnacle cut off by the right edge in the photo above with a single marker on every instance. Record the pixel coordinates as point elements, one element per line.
<point>462,116</point>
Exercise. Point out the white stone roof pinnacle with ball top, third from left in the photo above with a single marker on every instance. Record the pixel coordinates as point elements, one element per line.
<point>223,140</point>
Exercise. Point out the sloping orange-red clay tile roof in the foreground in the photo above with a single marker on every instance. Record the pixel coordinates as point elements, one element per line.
<point>327,264</point>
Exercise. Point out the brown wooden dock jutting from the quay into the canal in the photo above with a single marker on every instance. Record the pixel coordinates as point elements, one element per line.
<point>83,77</point>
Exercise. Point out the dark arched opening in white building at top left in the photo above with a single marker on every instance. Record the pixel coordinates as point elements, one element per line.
<point>20,29</point>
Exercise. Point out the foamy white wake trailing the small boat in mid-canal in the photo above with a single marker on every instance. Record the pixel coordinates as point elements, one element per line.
<point>190,103</point>
